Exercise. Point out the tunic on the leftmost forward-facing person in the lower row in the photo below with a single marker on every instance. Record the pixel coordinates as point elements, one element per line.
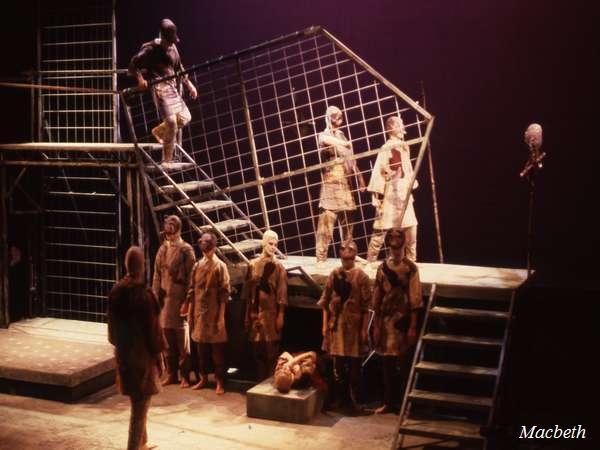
<point>172,268</point>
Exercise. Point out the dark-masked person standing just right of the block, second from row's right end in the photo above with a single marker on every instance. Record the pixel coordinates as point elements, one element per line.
<point>345,302</point>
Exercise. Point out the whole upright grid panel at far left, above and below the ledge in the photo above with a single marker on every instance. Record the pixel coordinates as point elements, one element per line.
<point>82,210</point>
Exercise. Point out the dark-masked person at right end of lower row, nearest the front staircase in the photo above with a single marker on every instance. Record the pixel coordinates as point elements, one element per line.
<point>396,298</point>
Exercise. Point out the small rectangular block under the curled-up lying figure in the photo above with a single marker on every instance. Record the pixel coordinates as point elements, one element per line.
<point>263,401</point>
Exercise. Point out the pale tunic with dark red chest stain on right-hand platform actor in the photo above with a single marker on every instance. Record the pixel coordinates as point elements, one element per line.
<point>393,187</point>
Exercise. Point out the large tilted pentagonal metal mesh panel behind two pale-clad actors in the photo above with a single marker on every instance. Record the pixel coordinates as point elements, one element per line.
<point>256,123</point>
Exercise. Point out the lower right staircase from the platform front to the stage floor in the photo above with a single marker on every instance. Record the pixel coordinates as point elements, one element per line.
<point>452,389</point>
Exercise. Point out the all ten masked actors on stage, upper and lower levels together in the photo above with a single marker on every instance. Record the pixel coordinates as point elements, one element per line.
<point>176,328</point>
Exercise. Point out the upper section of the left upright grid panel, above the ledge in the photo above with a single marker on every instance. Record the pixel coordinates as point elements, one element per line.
<point>76,50</point>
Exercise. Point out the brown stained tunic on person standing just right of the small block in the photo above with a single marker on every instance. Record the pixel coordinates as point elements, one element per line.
<point>346,297</point>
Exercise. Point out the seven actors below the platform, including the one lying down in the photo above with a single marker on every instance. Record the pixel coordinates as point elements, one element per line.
<point>164,334</point>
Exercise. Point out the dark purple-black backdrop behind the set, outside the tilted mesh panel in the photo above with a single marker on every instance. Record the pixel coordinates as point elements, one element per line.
<point>489,69</point>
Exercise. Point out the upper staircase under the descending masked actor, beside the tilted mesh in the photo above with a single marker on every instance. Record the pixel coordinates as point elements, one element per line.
<point>185,189</point>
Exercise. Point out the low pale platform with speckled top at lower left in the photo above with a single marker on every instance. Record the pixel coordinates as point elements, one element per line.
<point>55,358</point>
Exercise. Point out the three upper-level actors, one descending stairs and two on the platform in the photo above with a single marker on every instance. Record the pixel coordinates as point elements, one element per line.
<point>392,173</point>
